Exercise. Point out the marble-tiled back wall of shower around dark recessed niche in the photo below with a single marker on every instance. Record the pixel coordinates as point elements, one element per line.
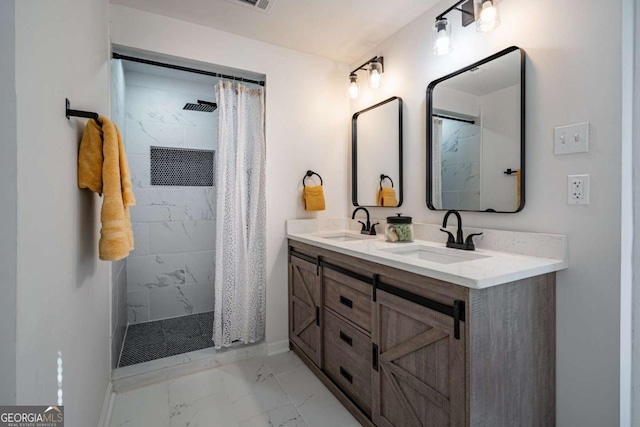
<point>171,271</point>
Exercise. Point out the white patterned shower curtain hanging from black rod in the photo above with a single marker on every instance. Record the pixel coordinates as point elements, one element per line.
<point>240,270</point>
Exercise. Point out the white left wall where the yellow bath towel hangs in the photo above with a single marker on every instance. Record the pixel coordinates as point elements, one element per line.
<point>63,290</point>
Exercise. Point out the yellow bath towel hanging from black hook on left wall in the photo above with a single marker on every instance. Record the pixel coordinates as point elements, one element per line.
<point>103,168</point>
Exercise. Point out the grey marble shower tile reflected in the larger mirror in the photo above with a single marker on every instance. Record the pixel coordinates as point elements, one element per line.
<point>461,153</point>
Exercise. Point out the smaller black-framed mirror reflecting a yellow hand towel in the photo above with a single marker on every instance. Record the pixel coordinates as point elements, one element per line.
<point>376,155</point>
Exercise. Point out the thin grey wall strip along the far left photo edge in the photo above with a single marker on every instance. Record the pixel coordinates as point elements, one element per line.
<point>8,195</point>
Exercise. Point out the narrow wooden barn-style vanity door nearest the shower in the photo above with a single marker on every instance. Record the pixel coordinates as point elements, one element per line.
<point>304,308</point>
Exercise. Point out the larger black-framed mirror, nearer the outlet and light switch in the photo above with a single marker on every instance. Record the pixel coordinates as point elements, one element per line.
<point>476,136</point>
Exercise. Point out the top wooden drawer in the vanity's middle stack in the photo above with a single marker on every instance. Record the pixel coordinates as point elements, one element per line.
<point>348,297</point>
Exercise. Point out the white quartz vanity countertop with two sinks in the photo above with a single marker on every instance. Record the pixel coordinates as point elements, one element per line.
<point>450,265</point>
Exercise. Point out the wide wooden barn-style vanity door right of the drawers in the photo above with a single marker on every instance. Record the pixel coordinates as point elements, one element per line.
<point>420,377</point>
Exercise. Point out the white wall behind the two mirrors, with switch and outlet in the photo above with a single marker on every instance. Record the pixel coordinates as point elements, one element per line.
<point>573,75</point>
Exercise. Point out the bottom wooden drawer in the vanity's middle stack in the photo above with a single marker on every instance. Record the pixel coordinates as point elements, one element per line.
<point>351,374</point>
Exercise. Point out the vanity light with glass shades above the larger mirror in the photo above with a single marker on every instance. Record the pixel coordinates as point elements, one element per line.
<point>485,13</point>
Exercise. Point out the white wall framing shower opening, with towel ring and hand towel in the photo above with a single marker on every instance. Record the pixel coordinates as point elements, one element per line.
<point>307,124</point>
